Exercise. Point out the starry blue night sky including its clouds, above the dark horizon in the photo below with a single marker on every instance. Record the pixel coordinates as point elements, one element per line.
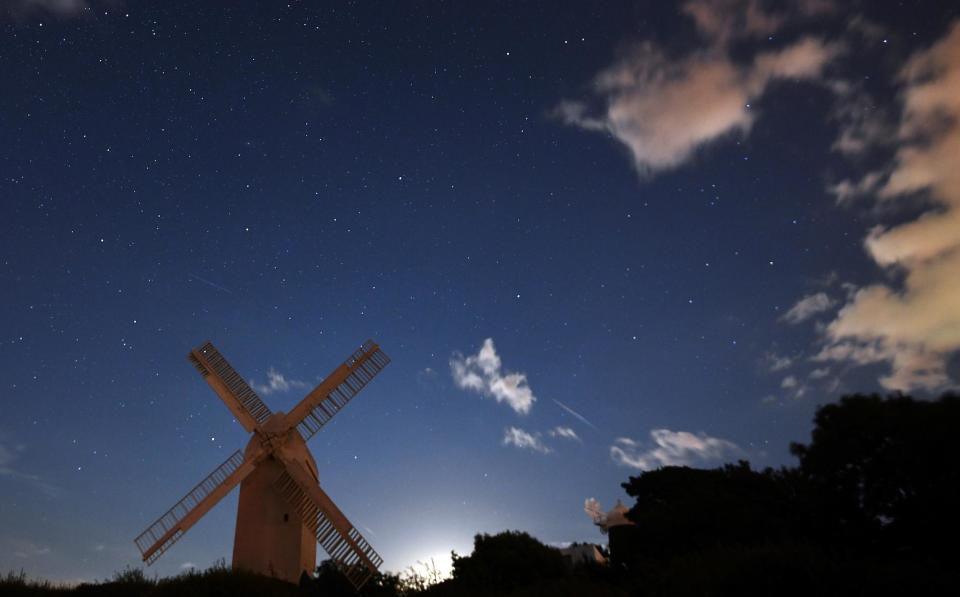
<point>595,239</point>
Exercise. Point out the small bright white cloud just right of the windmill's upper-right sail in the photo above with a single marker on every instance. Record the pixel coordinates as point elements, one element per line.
<point>483,373</point>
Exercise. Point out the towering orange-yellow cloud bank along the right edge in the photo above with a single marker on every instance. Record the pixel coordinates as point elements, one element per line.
<point>913,324</point>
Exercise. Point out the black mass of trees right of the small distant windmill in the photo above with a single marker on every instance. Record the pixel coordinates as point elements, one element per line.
<point>871,508</point>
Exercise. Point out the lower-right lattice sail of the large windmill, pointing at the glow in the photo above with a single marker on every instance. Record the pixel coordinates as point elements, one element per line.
<point>339,538</point>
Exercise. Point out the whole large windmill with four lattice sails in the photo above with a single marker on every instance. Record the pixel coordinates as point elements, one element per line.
<point>282,513</point>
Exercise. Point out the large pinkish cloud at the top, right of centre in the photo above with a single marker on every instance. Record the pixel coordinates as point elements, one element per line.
<point>664,109</point>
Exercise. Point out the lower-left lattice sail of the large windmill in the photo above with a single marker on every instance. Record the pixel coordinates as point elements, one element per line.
<point>168,529</point>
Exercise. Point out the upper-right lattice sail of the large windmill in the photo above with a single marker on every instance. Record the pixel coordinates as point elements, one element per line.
<point>337,389</point>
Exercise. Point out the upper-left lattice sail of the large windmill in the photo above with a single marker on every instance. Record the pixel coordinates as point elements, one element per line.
<point>239,397</point>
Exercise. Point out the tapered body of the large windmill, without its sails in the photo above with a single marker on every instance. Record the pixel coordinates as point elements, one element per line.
<point>270,538</point>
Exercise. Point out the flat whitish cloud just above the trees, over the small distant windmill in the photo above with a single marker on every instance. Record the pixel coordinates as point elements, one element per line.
<point>672,448</point>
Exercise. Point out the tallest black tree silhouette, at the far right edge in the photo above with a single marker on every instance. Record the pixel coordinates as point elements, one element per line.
<point>886,471</point>
